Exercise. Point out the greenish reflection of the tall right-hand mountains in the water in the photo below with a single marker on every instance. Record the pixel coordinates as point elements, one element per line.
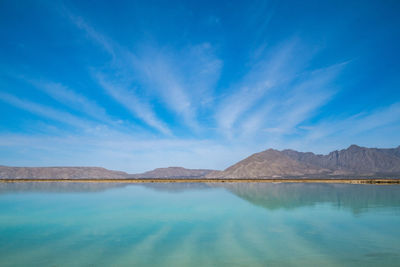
<point>358,198</point>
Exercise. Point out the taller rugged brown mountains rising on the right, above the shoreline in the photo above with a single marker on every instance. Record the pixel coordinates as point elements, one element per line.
<point>353,161</point>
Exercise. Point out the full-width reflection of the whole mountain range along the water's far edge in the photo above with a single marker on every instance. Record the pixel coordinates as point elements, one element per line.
<point>357,198</point>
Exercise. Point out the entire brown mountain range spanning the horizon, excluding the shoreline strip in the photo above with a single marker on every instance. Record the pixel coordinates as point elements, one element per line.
<point>353,161</point>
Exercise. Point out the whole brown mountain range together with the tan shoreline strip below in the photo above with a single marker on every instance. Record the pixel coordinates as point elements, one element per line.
<point>352,165</point>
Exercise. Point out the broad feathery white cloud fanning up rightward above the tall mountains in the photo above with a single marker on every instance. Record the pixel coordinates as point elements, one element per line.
<point>277,94</point>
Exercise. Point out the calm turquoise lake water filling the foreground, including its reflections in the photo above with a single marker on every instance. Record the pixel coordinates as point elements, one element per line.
<point>199,225</point>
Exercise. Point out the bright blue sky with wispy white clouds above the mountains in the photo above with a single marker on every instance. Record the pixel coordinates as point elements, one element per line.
<point>135,85</point>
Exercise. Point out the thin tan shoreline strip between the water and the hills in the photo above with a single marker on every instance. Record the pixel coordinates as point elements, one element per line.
<point>208,180</point>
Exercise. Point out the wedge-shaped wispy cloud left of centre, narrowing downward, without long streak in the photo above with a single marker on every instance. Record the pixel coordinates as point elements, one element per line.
<point>185,79</point>
